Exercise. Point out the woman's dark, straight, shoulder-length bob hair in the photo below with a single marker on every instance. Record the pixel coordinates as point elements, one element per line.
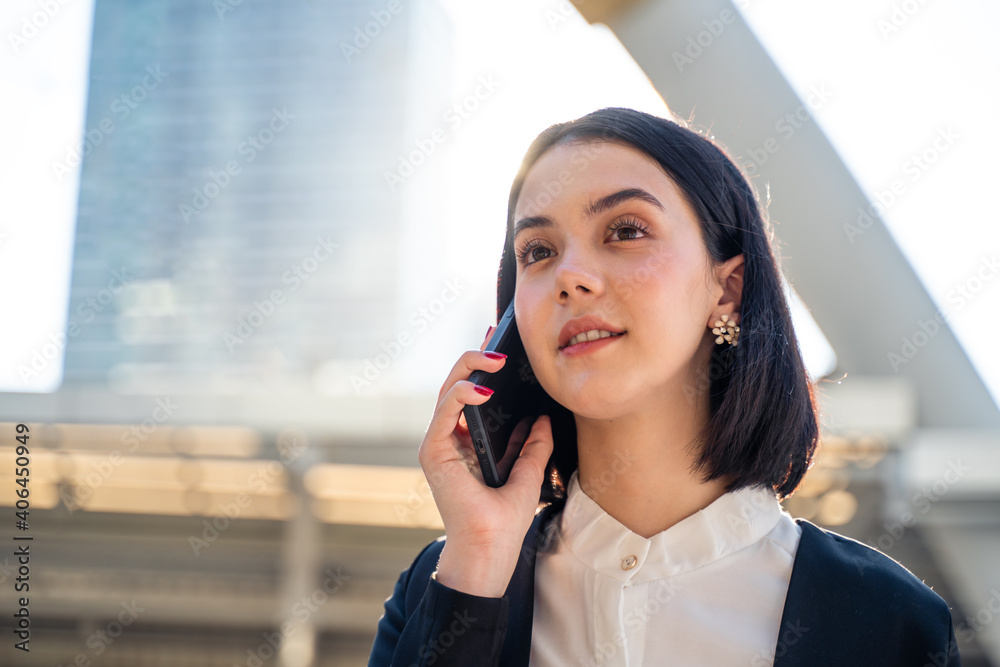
<point>763,427</point>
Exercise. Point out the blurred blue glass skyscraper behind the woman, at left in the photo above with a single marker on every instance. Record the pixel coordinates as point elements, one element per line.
<point>234,151</point>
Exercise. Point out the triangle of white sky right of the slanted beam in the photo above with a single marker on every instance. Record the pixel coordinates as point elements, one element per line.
<point>907,75</point>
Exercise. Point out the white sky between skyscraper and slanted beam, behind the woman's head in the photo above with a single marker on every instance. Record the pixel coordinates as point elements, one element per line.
<point>553,67</point>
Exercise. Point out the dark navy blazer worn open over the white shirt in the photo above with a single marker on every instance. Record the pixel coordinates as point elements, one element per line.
<point>847,604</point>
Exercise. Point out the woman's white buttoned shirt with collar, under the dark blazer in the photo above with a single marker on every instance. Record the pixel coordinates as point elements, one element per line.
<point>707,591</point>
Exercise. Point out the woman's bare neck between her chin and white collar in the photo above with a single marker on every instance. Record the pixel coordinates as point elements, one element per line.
<point>637,466</point>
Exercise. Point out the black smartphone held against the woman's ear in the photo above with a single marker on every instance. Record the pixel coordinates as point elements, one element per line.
<point>500,426</point>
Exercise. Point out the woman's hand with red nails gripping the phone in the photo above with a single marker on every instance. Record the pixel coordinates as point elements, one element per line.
<point>485,527</point>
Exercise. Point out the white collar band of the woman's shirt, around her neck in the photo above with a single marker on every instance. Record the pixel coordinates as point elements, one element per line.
<point>732,522</point>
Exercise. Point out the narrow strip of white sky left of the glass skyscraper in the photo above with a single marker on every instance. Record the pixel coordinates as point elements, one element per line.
<point>44,67</point>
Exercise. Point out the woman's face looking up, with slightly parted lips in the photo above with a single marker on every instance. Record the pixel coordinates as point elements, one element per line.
<point>638,262</point>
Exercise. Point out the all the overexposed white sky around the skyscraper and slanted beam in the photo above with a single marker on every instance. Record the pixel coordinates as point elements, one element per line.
<point>900,85</point>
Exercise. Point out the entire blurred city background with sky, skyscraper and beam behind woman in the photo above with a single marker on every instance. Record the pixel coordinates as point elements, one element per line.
<point>242,243</point>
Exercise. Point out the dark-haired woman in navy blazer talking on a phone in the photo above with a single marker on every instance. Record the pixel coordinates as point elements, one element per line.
<point>649,302</point>
